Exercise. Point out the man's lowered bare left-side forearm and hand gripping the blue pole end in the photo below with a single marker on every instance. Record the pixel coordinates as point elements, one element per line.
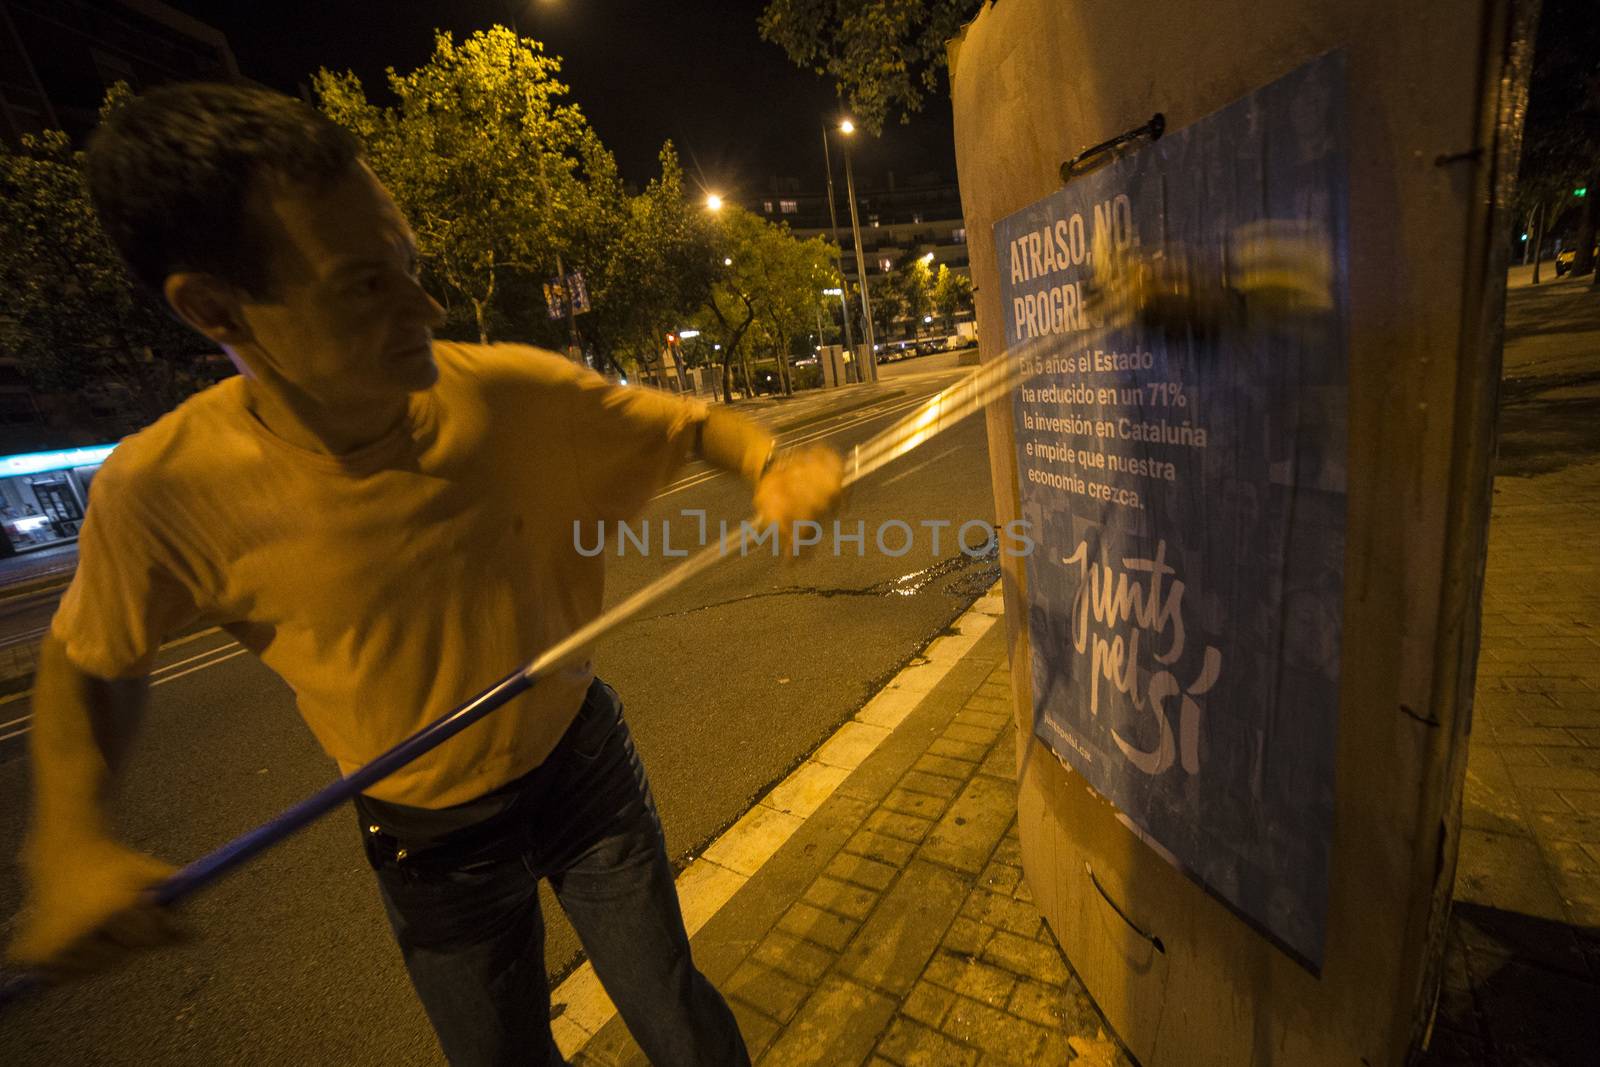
<point>86,893</point>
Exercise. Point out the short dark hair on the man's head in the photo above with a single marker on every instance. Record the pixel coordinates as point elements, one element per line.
<point>174,175</point>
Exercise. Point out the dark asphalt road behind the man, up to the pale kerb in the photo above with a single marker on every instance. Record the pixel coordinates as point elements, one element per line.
<point>729,685</point>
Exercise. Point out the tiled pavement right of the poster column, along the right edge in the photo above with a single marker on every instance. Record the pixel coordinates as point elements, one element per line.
<point>1524,962</point>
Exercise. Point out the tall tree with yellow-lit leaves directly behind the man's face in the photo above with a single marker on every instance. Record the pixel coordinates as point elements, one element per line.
<point>484,156</point>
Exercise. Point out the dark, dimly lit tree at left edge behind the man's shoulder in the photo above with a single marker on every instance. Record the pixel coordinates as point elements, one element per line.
<point>70,313</point>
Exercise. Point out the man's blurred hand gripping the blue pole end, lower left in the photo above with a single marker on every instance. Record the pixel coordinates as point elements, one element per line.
<point>89,908</point>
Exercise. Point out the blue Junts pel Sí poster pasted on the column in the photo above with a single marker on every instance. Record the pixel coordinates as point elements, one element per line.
<point>1188,495</point>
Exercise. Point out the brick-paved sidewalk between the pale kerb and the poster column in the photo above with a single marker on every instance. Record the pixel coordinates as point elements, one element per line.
<point>895,925</point>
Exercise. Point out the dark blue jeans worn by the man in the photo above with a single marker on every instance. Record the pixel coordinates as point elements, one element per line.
<point>466,909</point>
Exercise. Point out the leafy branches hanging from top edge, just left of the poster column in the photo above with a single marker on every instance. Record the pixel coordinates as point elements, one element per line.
<point>886,57</point>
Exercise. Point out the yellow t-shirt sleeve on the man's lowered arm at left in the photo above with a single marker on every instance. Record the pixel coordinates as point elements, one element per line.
<point>127,596</point>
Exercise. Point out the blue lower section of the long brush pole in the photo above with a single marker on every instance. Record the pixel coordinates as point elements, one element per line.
<point>215,865</point>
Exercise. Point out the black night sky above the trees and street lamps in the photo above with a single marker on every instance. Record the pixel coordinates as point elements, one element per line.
<point>644,71</point>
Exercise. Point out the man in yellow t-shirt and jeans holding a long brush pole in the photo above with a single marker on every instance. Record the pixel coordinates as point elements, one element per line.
<point>388,522</point>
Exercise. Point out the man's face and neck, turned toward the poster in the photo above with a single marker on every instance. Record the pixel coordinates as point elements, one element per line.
<point>345,321</point>
